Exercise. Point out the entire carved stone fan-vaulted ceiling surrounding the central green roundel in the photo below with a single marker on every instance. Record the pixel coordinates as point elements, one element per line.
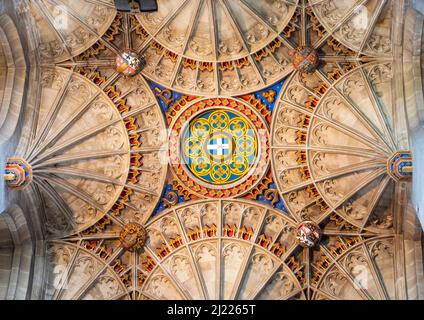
<point>330,137</point>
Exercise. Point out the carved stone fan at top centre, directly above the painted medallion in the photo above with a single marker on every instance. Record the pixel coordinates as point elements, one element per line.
<point>206,47</point>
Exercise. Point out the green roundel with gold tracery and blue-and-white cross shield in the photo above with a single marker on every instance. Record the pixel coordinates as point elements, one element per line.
<point>219,146</point>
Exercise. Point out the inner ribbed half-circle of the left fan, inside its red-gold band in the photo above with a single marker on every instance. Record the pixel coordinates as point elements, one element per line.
<point>79,114</point>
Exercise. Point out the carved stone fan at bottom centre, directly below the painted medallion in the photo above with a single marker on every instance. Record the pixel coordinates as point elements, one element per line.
<point>239,218</point>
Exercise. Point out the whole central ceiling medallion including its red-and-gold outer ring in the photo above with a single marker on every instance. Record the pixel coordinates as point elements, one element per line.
<point>219,147</point>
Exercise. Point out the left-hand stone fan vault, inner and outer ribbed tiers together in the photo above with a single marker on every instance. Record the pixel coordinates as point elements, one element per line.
<point>92,161</point>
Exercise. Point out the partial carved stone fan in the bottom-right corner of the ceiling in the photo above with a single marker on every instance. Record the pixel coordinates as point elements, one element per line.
<point>364,270</point>
